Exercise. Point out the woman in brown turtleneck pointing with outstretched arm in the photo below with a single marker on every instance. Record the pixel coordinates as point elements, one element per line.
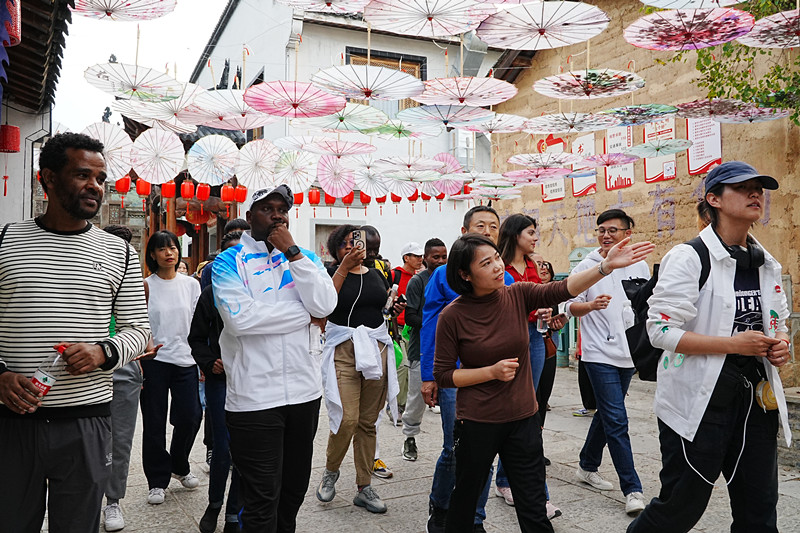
<point>496,405</point>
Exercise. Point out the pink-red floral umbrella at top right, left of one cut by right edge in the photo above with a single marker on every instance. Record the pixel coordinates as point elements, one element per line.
<point>688,29</point>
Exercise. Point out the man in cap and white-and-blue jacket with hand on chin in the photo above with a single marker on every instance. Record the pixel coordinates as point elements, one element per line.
<point>267,291</point>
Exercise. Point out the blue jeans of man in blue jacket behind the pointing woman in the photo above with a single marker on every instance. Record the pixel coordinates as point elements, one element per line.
<point>444,477</point>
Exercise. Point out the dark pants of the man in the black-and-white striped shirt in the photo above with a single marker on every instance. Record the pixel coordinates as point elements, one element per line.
<point>68,460</point>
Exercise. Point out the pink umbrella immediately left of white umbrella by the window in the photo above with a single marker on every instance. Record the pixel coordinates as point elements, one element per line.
<point>292,99</point>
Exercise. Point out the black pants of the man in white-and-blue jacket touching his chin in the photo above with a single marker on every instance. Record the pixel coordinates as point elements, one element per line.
<point>272,449</point>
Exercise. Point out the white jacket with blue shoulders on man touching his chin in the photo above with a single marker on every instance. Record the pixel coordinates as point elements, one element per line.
<point>266,303</point>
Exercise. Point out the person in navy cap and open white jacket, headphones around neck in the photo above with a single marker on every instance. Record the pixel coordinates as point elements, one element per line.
<point>722,345</point>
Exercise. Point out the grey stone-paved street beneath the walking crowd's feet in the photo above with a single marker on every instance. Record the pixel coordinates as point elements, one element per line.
<point>406,494</point>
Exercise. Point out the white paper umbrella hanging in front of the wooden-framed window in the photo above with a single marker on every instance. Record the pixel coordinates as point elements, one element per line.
<point>368,82</point>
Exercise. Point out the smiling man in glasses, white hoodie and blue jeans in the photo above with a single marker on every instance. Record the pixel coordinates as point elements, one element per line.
<point>606,314</point>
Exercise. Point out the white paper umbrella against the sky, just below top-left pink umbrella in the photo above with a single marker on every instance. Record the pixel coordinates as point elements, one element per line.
<point>133,82</point>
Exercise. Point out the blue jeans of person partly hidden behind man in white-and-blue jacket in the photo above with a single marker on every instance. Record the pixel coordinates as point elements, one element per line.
<point>220,454</point>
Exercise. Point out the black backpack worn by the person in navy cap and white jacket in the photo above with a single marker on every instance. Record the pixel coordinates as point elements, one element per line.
<point>638,290</point>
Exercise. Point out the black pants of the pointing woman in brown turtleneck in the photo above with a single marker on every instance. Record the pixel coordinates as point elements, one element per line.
<point>519,445</point>
